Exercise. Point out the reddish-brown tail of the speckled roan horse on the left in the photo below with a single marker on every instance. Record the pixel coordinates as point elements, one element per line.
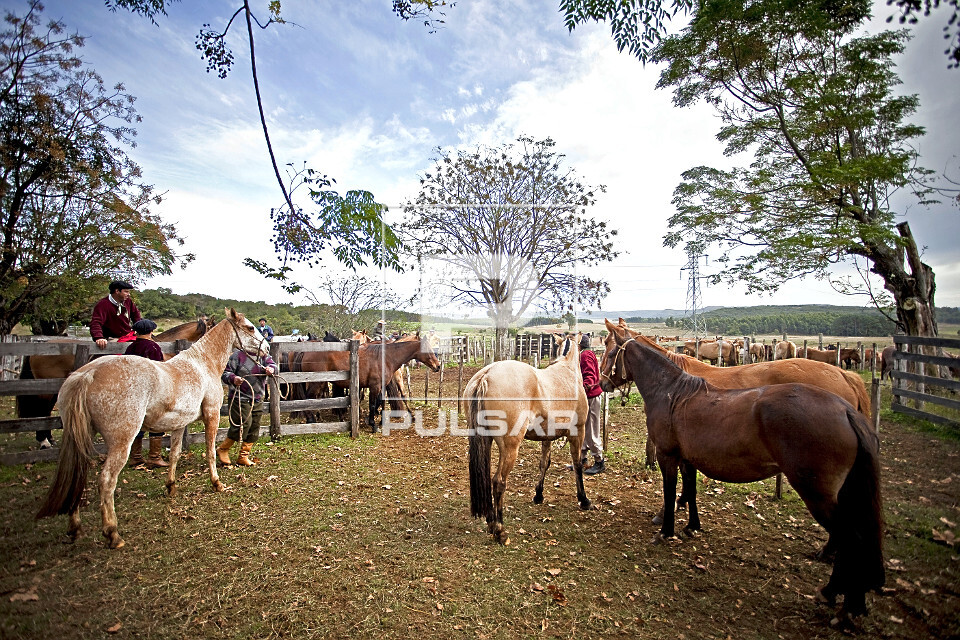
<point>76,448</point>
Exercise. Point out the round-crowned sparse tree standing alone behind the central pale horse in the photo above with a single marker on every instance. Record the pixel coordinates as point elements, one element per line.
<point>510,226</point>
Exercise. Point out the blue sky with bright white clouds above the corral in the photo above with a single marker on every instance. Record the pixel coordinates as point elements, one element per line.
<point>366,99</point>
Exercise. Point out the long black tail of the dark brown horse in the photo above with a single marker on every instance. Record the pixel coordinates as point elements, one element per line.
<point>859,564</point>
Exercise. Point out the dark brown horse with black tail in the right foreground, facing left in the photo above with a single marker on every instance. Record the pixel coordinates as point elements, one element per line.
<point>823,445</point>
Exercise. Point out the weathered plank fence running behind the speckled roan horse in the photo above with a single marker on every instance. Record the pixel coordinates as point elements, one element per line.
<point>9,351</point>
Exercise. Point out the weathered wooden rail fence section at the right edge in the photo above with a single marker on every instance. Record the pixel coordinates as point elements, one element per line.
<point>909,349</point>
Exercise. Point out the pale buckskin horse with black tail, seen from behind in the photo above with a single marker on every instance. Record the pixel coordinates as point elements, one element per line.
<point>509,401</point>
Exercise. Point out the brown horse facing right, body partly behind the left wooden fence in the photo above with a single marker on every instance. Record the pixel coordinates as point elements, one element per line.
<point>377,365</point>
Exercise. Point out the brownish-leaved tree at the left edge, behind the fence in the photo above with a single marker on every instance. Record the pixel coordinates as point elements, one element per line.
<point>74,211</point>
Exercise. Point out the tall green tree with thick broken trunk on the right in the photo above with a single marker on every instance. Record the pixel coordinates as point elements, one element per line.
<point>830,142</point>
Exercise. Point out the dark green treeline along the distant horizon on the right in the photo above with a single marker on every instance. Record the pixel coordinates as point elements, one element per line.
<point>798,320</point>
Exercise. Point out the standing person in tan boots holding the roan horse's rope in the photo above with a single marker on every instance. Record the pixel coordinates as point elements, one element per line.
<point>245,377</point>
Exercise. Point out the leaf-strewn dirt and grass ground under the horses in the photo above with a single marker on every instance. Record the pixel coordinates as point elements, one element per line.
<point>329,537</point>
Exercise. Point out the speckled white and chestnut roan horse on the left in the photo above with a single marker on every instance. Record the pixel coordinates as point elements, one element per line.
<point>117,395</point>
